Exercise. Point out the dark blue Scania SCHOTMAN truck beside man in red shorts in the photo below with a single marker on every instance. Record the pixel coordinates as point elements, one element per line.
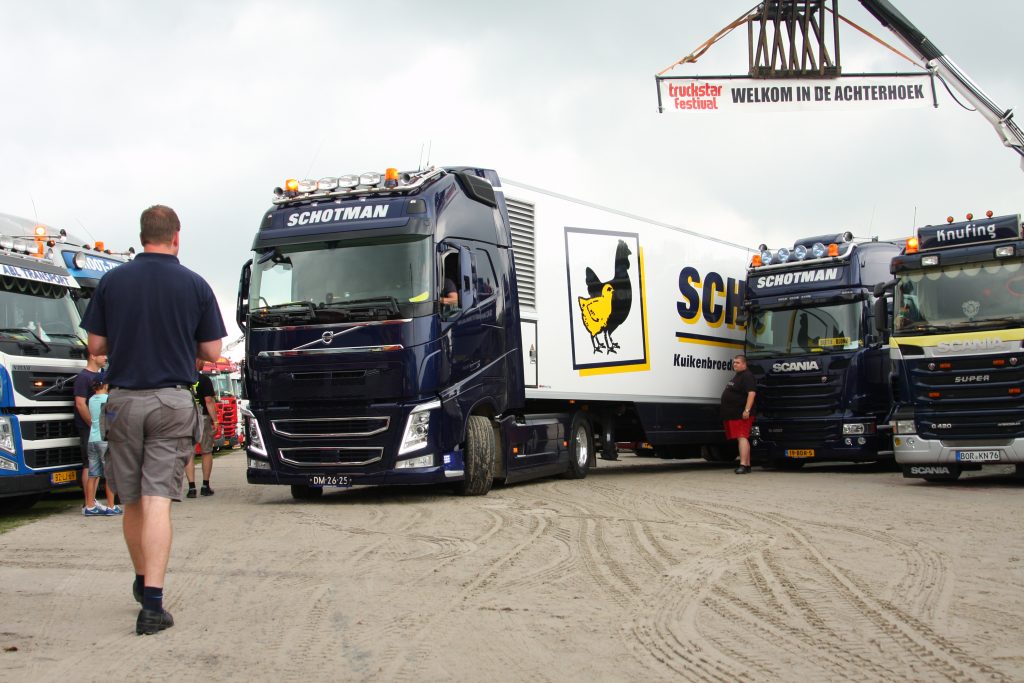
<point>823,373</point>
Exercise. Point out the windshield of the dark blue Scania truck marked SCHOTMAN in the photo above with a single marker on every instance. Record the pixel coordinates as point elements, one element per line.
<point>798,331</point>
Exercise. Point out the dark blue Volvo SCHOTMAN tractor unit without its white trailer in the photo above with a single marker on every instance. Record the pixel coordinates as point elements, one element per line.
<point>383,339</point>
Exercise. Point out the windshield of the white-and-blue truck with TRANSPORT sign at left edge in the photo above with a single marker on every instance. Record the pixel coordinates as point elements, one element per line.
<point>34,317</point>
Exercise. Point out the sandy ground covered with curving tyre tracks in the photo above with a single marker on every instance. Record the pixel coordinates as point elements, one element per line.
<point>646,571</point>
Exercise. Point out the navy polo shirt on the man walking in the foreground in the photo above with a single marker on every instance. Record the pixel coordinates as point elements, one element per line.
<point>154,312</point>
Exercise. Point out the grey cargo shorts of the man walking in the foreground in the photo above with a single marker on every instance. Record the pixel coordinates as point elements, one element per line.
<point>150,434</point>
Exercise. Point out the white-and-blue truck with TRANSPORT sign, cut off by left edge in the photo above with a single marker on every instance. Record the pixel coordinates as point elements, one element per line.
<point>41,354</point>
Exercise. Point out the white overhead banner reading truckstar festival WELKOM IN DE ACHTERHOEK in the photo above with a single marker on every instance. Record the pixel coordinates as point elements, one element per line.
<point>713,95</point>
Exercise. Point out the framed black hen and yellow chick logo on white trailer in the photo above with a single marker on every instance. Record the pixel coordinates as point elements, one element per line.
<point>605,274</point>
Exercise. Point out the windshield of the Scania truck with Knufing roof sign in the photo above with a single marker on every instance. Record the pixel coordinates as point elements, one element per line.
<point>971,296</point>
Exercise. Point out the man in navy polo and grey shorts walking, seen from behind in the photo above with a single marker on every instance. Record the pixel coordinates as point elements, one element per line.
<point>155,318</point>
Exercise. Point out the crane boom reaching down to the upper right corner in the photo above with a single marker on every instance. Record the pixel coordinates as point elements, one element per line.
<point>910,35</point>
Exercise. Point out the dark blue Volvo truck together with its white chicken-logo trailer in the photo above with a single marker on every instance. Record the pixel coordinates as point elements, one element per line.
<point>421,328</point>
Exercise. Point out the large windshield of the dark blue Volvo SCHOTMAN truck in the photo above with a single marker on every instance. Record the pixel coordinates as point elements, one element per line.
<point>342,281</point>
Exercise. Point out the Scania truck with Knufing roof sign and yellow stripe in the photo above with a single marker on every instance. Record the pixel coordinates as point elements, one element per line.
<point>958,357</point>
